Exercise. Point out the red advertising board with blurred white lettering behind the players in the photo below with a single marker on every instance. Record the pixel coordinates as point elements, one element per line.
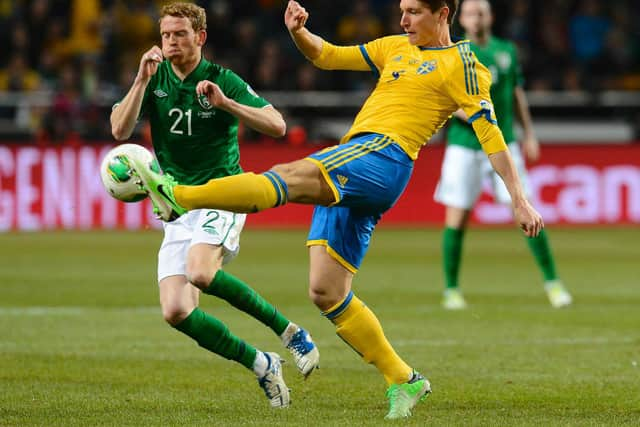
<point>59,188</point>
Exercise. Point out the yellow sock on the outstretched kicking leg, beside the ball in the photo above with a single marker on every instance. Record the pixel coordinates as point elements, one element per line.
<point>243,193</point>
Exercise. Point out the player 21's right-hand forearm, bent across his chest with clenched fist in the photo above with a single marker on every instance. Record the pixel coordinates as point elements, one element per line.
<point>265,119</point>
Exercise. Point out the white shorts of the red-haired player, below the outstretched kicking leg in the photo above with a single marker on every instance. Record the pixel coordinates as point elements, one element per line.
<point>215,227</point>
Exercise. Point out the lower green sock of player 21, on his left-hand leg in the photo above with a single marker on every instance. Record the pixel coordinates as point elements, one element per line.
<point>212,334</point>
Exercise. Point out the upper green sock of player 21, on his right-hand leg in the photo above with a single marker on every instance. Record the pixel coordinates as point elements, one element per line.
<point>241,296</point>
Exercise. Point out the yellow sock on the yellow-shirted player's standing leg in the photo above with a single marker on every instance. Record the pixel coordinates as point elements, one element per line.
<point>360,329</point>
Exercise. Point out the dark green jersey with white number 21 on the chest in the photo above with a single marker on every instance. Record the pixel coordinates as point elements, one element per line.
<point>193,141</point>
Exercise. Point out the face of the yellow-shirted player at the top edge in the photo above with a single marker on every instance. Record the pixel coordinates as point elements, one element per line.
<point>419,22</point>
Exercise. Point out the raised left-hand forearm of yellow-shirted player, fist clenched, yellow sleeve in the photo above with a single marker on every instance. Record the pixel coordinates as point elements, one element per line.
<point>323,54</point>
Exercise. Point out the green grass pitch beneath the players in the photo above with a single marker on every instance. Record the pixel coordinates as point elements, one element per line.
<point>82,341</point>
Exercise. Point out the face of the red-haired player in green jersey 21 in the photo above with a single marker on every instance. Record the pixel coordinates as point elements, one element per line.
<point>180,44</point>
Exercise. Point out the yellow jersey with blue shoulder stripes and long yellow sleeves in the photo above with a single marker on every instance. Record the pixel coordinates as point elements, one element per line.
<point>418,90</point>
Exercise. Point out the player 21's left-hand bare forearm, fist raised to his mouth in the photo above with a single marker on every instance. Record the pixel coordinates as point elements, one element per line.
<point>125,114</point>
